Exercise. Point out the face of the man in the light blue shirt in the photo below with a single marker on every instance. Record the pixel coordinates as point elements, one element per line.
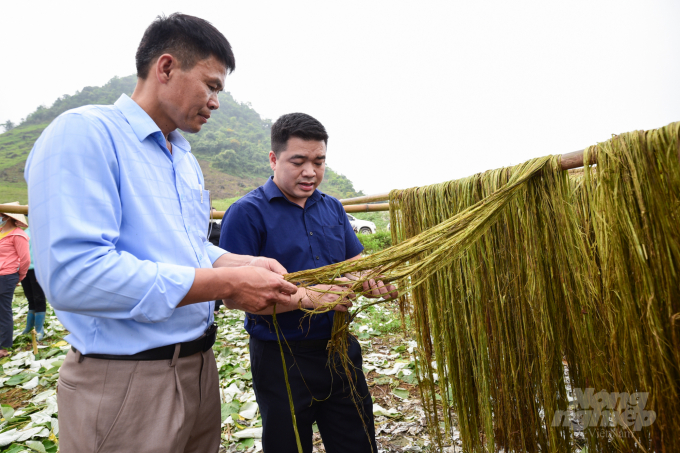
<point>191,96</point>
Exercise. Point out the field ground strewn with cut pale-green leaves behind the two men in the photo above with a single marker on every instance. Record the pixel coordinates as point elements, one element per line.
<point>30,416</point>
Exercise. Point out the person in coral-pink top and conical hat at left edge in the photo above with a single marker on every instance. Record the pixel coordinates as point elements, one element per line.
<point>14,261</point>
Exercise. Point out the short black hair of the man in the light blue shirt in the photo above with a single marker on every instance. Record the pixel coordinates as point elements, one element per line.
<point>189,39</point>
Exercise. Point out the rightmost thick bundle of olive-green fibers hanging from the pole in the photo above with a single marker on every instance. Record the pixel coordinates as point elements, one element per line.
<point>634,236</point>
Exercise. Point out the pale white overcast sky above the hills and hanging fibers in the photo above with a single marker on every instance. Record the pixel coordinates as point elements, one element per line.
<point>411,93</point>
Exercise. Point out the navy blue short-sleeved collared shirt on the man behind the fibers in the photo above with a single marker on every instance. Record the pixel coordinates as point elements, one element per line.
<point>265,223</point>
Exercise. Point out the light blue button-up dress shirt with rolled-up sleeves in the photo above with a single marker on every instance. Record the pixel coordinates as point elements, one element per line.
<point>119,224</point>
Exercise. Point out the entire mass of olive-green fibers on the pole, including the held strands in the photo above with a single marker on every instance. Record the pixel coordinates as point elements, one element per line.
<point>511,274</point>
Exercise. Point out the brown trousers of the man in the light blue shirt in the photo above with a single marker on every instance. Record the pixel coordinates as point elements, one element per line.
<point>158,406</point>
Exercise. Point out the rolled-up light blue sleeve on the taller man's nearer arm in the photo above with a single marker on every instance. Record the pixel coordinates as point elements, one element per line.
<point>76,214</point>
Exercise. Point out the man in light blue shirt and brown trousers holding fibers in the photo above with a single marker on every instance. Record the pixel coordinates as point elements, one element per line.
<point>119,216</point>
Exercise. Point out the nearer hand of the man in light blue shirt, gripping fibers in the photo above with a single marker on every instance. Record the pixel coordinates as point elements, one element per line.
<point>257,288</point>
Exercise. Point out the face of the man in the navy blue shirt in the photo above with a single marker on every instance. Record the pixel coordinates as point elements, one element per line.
<point>299,169</point>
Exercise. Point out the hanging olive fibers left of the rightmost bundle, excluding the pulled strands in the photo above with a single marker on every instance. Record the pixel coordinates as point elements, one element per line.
<point>489,319</point>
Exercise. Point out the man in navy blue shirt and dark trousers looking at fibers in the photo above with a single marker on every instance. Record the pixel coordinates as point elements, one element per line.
<point>289,220</point>
